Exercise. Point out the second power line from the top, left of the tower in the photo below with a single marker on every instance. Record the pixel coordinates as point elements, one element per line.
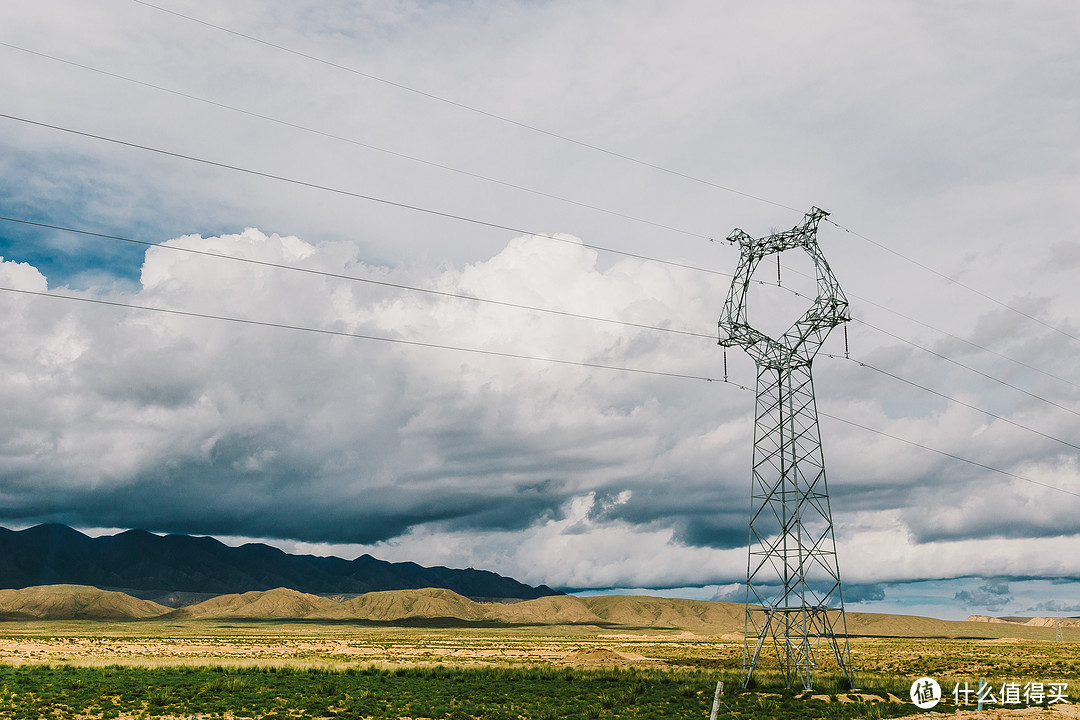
<point>360,144</point>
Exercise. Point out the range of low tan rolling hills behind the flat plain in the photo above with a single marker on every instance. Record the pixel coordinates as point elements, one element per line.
<point>439,607</point>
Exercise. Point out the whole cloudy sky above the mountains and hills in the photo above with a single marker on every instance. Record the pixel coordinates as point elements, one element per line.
<point>577,167</point>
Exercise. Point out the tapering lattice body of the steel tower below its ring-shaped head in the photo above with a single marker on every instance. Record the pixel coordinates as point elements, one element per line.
<point>794,597</point>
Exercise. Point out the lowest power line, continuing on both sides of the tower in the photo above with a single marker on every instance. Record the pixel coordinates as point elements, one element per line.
<point>417,344</point>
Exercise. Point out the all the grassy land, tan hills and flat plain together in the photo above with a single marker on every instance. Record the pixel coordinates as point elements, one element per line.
<point>409,658</point>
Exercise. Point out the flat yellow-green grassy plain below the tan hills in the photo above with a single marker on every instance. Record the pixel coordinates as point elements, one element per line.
<point>90,670</point>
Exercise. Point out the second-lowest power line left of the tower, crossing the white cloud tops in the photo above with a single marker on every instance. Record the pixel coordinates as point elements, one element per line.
<point>280,266</point>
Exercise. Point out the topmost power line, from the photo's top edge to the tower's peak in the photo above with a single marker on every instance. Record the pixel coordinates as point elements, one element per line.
<point>463,106</point>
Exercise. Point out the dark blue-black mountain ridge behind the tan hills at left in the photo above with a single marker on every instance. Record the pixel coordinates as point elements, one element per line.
<point>153,566</point>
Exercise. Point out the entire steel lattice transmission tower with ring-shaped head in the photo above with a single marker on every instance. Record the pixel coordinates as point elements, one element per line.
<point>793,580</point>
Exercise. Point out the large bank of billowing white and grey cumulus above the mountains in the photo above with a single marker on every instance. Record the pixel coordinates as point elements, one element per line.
<point>555,473</point>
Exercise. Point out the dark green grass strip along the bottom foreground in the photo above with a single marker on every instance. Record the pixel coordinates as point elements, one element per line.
<point>46,691</point>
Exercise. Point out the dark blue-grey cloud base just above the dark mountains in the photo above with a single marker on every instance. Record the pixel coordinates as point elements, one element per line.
<point>281,502</point>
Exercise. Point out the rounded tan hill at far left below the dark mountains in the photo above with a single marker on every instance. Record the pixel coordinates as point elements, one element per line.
<point>75,603</point>
